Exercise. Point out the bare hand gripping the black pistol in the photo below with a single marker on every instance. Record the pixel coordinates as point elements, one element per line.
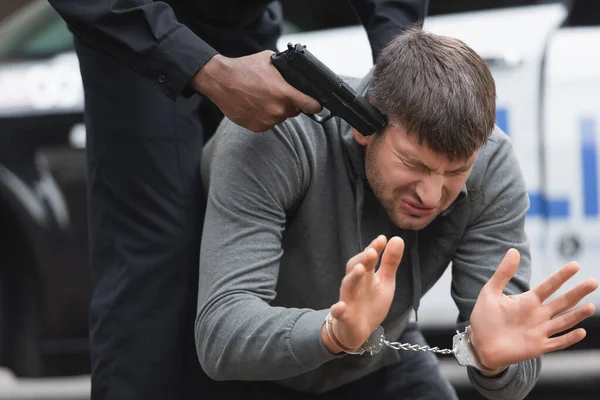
<point>251,92</point>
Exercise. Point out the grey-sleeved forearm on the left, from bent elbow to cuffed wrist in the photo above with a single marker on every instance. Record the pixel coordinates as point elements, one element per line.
<point>239,337</point>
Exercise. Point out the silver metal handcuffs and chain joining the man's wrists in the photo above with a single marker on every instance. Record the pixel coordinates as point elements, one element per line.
<point>462,348</point>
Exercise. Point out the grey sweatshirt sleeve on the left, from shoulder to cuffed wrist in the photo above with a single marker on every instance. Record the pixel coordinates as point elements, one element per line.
<point>252,180</point>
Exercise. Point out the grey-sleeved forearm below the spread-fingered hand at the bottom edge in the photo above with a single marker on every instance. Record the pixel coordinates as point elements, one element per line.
<point>512,384</point>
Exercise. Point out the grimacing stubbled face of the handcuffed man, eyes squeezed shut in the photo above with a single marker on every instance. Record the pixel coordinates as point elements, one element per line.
<point>413,184</point>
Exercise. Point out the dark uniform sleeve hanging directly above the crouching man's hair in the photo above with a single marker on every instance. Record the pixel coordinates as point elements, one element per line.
<point>384,19</point>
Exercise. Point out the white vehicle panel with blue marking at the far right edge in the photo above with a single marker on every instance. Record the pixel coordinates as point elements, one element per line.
<point>571,138</point>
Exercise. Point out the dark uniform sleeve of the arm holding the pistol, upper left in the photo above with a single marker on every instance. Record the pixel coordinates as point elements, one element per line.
<point>142,34</point>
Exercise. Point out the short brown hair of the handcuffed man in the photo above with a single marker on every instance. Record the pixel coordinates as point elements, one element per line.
<point>439,89</point>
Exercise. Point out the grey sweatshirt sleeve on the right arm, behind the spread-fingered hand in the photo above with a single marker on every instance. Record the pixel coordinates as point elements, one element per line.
<point>497,223</point>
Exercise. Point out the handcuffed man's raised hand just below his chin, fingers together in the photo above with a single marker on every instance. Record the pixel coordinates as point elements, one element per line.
<point>366,295</point>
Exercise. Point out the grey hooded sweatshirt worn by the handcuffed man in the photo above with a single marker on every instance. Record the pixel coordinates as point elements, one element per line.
<point>286,210</point>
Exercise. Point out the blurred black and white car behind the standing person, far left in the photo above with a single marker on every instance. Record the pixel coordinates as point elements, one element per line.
<point>44,274</point>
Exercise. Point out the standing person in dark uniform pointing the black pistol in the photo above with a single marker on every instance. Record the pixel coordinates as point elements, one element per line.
<point>147,68</point>
